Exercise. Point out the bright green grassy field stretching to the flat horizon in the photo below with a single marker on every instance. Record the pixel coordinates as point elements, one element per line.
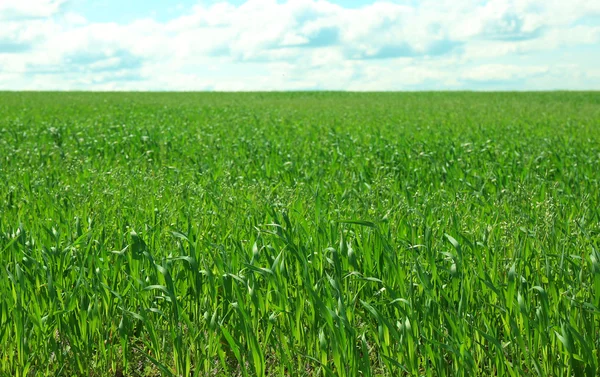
<point>301,234</point>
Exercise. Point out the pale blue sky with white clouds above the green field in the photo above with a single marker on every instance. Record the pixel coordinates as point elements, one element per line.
<point>299,45</point>
